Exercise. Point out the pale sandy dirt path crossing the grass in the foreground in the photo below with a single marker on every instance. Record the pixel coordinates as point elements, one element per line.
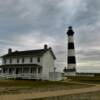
<point>26,96</point>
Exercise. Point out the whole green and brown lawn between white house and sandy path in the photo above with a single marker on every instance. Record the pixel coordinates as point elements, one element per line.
<point>21,86</point>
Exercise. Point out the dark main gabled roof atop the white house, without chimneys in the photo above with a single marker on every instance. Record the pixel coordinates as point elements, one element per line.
<point>37,53</point>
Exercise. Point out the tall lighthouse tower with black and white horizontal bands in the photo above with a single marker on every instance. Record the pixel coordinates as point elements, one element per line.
<point>71,60</point>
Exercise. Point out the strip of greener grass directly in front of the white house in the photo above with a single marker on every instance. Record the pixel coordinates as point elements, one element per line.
<point>32,83</point>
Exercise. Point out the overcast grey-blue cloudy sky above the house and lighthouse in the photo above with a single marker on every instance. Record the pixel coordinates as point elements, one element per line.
<point>29,24</point>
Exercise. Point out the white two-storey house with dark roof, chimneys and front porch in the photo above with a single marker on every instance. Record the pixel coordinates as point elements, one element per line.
<point>31,64</point>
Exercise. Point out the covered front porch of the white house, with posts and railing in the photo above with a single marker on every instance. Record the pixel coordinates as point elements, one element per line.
<point>21,71</point>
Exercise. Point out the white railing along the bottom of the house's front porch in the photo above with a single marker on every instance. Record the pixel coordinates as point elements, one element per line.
<point>21,75</point>
